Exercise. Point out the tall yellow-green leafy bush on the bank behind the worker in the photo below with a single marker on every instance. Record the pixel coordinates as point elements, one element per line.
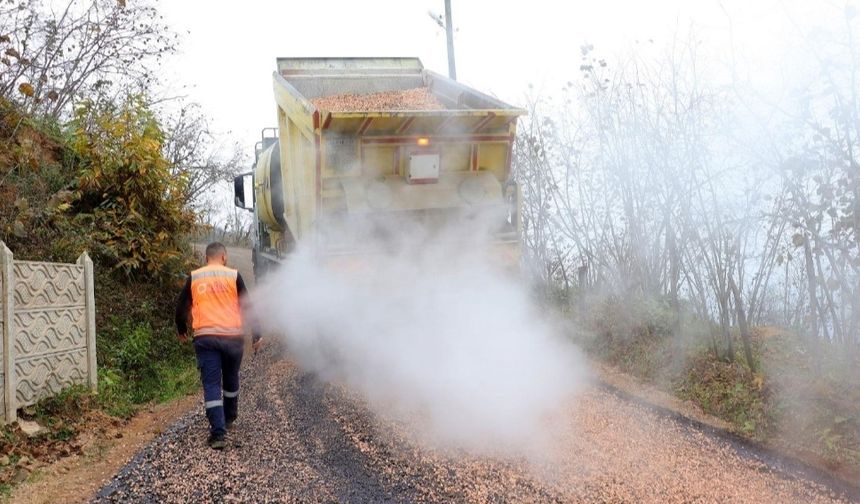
<point>127,198</point>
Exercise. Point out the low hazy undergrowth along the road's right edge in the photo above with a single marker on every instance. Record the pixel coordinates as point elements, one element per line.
<point>789,400</point>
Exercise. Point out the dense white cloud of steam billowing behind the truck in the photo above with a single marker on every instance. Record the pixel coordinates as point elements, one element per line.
<point>436,331</point>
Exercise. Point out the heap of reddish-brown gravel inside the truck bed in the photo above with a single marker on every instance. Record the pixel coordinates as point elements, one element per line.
<point>409,99</point>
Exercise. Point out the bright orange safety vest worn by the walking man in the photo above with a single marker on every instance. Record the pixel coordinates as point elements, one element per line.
<point>215,302</point>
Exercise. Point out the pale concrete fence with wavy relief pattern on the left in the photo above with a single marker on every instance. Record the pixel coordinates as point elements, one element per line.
<point>47,323</point>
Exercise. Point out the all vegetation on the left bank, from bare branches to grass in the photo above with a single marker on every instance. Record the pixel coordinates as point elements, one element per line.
<point>99,183</point>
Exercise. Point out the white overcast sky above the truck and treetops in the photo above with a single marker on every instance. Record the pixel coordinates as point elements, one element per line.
<point>228,49</point>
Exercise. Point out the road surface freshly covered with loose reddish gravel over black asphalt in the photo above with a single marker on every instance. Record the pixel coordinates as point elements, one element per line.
<point>301,440</point>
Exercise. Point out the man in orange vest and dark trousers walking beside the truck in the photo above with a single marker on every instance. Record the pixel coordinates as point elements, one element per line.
<point>214,295</point>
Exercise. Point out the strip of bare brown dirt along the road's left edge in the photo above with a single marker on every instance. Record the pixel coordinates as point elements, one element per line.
<point>103,452</point>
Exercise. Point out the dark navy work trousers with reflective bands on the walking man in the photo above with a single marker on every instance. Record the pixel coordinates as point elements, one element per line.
<point>218,359</point>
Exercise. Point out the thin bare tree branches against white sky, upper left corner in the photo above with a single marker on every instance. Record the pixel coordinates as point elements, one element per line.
<point>89,48</point>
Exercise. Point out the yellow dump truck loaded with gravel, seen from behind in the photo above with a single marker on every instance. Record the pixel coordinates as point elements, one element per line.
<point>369,143</point>
